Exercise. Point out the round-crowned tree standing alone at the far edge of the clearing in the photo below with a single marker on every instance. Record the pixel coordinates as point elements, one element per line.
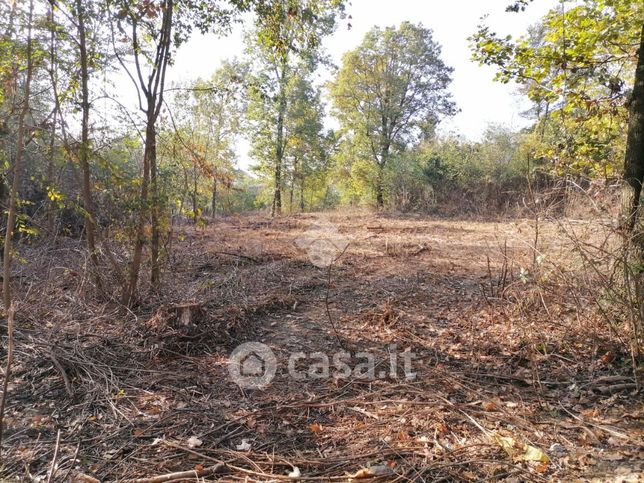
<point>391,91</point>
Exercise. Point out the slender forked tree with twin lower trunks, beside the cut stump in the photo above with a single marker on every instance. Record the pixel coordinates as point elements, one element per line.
<point>151,31</point>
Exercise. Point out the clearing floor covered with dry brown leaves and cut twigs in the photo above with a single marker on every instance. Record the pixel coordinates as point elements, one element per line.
<point>509,383</point>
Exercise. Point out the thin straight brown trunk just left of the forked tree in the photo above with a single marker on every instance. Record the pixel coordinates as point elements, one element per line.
<point>90,222</point>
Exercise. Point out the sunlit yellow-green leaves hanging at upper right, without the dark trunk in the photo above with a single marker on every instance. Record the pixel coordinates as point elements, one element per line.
<point>576,66</point>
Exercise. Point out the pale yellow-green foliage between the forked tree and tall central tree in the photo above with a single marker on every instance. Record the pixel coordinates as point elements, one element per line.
<point>197,147</point>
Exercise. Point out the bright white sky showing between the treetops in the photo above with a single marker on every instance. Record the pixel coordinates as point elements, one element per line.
<point>481,100</point>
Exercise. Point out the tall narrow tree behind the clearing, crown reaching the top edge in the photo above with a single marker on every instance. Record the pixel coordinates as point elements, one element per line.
<point>287,40</point>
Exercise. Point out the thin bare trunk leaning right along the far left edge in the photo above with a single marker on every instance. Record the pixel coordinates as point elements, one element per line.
<point>17,172</point>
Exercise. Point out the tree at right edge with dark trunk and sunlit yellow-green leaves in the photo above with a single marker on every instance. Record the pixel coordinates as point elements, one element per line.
<point>578,65</point>
